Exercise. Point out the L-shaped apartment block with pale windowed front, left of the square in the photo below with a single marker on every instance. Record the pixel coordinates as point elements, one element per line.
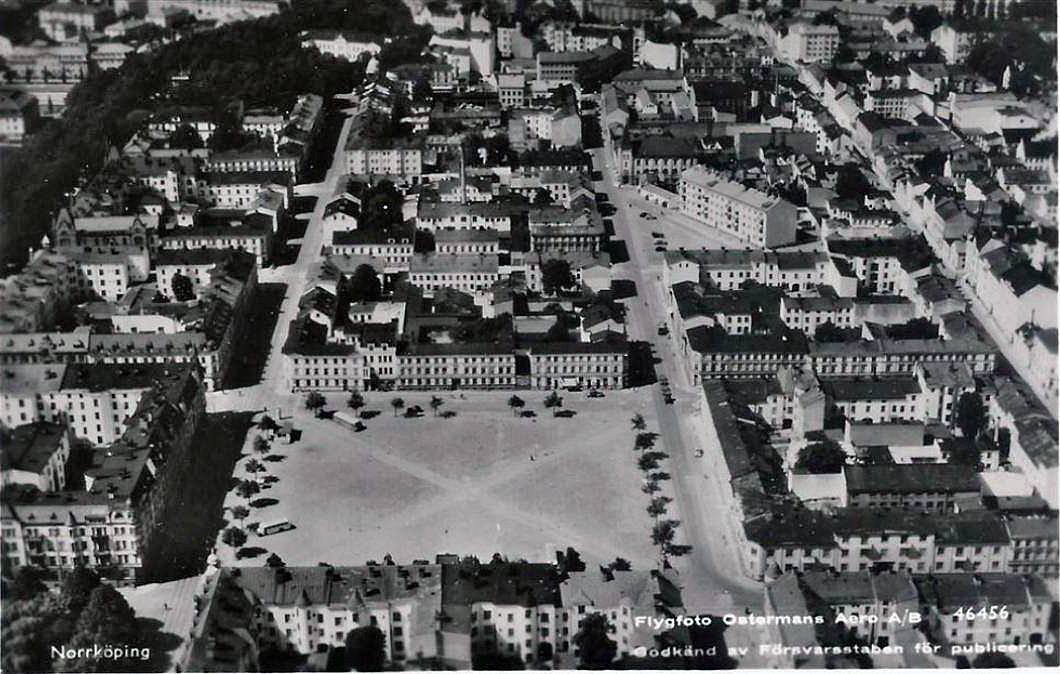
<point>115,523</point>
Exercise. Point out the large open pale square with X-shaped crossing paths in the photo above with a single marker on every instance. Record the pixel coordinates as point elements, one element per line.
<point>481,482</point>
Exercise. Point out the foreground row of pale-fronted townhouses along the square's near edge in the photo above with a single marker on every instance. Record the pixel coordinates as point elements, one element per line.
<point>450,613</point>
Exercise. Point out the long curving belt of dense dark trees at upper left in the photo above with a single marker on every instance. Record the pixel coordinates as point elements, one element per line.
<point>222,65</point>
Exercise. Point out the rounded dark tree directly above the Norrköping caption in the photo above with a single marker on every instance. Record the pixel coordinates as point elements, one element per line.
<point>108,619</point>
